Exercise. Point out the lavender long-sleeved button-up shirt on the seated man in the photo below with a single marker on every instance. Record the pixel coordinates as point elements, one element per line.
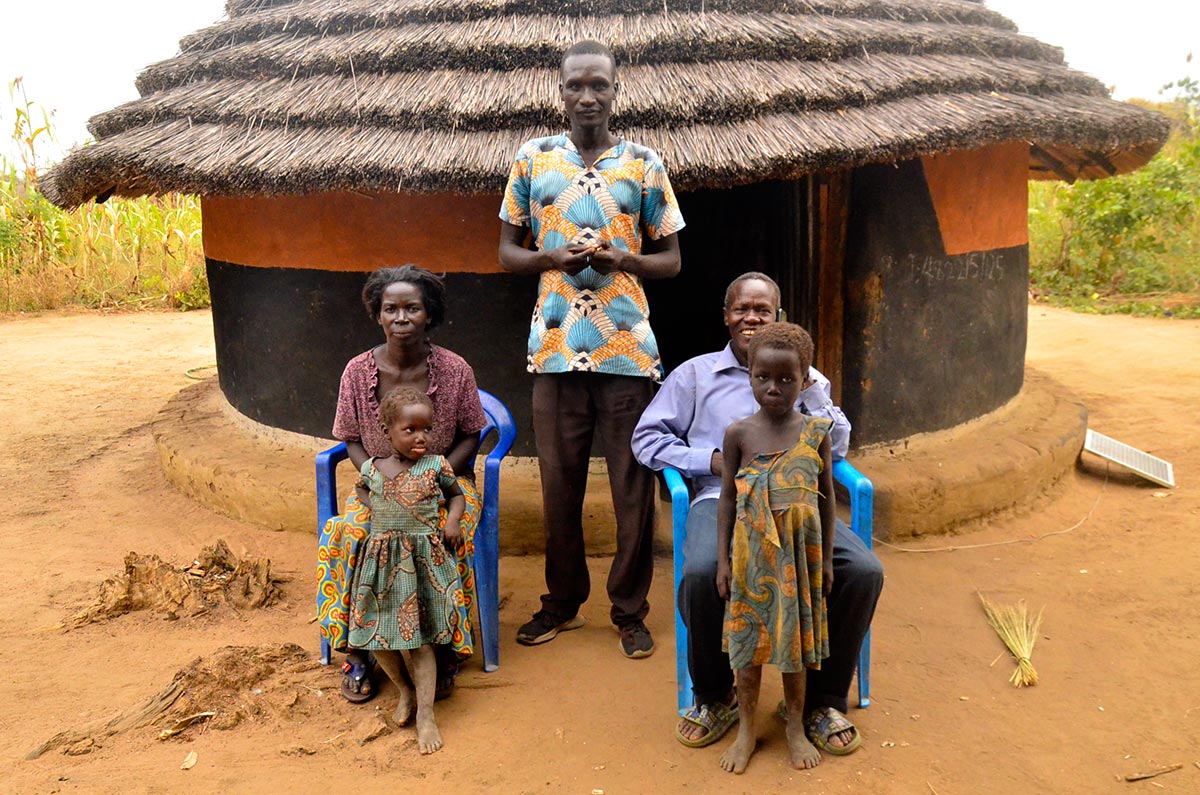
<point>686,422</point>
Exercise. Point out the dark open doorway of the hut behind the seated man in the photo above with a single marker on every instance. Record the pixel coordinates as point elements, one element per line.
<point>794,231</point>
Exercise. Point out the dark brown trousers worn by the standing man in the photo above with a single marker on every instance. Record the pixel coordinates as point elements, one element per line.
<point>568,410</point>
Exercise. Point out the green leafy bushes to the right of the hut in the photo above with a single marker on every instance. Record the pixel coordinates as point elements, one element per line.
<point>1127,244</point>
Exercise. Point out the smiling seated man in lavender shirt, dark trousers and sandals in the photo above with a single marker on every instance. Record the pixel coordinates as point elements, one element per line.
<point>683,428</point>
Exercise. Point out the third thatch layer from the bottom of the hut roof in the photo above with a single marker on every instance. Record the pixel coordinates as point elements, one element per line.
<point>506,44</point>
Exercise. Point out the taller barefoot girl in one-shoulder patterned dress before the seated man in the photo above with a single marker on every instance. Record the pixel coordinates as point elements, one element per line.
<point>776,515</point>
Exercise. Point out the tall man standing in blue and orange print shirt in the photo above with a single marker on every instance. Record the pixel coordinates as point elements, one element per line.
<point>603,218</point>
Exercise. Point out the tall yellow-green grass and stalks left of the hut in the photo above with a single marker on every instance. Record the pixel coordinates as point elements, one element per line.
<point>135,254</point>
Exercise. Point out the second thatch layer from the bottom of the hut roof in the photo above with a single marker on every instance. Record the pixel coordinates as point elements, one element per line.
<point>659,95</point>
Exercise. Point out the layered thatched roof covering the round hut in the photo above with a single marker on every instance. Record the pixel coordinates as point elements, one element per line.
<point>292,97</point>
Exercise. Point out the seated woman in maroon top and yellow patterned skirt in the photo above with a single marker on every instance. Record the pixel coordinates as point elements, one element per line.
<point>407,303</point>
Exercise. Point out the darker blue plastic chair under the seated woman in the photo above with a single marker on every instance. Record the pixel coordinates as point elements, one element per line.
<point>488,535</point>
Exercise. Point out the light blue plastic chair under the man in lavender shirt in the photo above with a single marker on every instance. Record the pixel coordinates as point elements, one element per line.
<point>862,509</point>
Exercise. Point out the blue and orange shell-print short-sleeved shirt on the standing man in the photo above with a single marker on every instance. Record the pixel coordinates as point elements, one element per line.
<point>591,322</point>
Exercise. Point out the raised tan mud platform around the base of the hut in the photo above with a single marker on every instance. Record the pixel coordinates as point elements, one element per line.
<point>926,485</point>
